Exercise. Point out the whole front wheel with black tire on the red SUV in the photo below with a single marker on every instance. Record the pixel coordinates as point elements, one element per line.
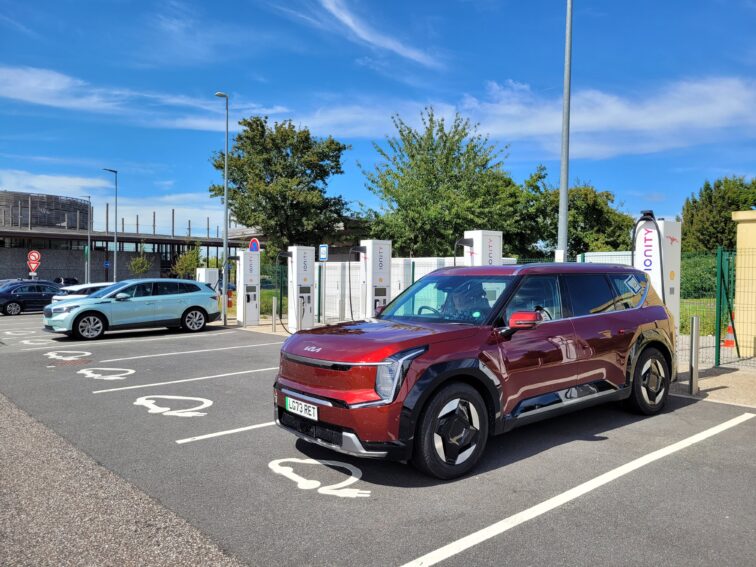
<point>456,411</point>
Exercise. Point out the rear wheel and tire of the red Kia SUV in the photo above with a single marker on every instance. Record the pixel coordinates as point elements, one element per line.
<point>651,380</point>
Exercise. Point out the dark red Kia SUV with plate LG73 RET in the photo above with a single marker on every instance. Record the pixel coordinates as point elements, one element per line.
<point>466,353</point>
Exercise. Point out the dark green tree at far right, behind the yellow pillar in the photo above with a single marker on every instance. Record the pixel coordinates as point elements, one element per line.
<point>707,217</point>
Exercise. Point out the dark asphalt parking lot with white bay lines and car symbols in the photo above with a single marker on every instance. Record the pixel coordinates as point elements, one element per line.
<point>188,420</point>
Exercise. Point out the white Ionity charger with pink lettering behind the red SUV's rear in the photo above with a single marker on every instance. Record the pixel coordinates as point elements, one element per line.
<point>656,251</point>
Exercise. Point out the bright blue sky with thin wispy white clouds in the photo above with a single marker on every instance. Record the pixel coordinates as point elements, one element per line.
<point>664,93</point>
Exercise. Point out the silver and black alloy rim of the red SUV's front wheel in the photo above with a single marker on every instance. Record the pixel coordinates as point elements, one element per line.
<point>457,431</point>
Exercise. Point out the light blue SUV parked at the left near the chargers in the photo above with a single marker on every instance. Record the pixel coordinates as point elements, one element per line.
<point>134,304</point>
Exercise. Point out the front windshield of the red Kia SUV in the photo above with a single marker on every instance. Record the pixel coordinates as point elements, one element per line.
<point>457,299</point>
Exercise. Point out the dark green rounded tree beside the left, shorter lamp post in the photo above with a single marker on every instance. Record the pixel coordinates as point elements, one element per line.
<point>278,177</point>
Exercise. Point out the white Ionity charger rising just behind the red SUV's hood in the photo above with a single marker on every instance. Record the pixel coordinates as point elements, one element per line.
<point>375,275</point>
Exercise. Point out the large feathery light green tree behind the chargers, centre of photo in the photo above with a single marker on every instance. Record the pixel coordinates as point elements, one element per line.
<point>442,179</point>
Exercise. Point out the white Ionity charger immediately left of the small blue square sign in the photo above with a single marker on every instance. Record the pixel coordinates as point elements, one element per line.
<point>301,287</point>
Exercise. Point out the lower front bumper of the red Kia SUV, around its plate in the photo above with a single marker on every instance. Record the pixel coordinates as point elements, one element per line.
<point>340,429</point>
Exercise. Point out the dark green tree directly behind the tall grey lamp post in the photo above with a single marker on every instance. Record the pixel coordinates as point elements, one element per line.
<point>594,224</point>
